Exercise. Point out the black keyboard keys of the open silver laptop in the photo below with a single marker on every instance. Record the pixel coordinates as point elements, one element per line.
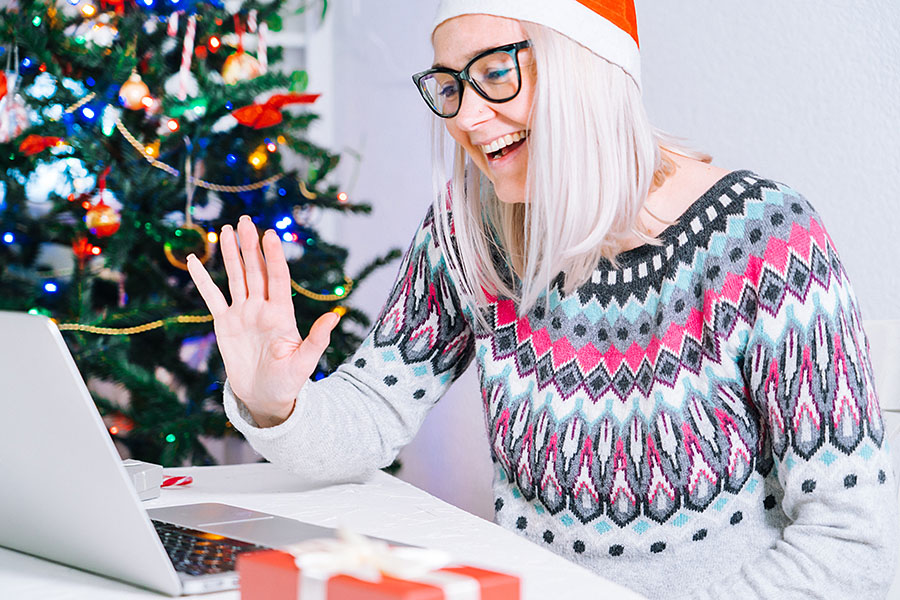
<point>200,553</point>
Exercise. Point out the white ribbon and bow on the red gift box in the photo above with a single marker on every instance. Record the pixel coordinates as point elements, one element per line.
<point>369,560</point>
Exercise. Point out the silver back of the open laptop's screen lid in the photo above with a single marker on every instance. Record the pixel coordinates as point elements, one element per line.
<point>66,496</point>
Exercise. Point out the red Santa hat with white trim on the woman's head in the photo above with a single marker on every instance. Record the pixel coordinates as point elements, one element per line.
<point>608,28</point>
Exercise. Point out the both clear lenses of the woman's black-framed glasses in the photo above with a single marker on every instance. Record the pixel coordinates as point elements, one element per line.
<point>494,76</point>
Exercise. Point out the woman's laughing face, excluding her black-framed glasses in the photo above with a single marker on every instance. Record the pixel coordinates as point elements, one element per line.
<point>481,123</point>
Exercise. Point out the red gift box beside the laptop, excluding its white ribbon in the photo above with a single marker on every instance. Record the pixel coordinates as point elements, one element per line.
<point>274,575</point>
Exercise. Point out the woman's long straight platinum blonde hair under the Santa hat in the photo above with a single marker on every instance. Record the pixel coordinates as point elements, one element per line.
<point>594,158</point>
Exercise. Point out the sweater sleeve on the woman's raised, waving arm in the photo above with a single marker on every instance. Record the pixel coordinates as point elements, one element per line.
<point>358,418</point>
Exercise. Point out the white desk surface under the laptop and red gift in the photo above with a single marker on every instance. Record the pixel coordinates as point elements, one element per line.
<point>385,507</point>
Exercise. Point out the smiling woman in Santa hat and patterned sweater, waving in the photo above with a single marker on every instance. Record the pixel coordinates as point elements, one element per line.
<point>673,369</point>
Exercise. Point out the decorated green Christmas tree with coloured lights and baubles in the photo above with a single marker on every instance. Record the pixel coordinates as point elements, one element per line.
<point>130,132</point>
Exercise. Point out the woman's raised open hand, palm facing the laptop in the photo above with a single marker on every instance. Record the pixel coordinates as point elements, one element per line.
<point>266,360</point>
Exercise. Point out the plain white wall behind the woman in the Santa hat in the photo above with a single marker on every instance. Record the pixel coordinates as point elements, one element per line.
<point>806,92</point>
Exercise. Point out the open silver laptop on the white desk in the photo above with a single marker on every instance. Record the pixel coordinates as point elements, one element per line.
<point>67,497</point>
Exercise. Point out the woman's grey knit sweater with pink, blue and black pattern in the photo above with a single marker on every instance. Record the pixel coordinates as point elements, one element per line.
<point>699,422</point>
